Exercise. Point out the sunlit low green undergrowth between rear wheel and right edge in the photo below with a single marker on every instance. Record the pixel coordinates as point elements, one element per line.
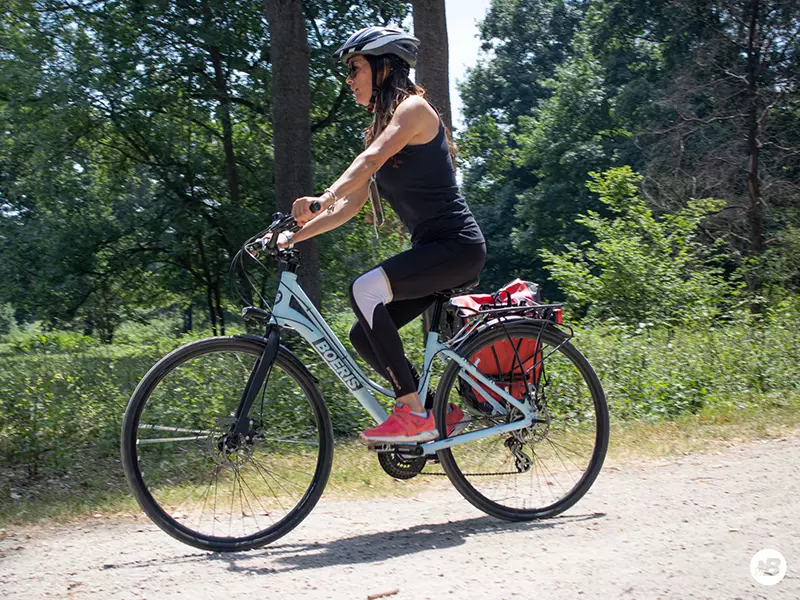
<point>655,373</point>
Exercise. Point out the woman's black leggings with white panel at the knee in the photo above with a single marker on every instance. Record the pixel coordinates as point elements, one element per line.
<point>413,277</point>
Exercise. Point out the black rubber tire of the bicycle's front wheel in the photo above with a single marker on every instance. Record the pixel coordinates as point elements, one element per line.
<point>293,367</point>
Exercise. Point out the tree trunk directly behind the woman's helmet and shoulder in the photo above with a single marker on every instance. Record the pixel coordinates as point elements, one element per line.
<point>432,72</point>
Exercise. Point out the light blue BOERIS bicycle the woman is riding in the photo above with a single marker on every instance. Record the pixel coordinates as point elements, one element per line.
<point>227,442</point>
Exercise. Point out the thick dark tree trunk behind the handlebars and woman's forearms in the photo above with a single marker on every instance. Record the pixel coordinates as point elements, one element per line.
<point>291,121</point>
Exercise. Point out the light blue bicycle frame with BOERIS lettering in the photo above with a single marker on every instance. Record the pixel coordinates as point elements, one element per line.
<point>312,327</point>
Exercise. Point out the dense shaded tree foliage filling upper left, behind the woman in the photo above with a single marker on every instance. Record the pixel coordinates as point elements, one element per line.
<point>136,140</point>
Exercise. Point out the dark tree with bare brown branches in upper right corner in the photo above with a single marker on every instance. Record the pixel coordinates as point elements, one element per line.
<point>708,89</point>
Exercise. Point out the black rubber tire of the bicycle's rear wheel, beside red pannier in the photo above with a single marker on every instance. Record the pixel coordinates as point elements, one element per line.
<point>552,336</point>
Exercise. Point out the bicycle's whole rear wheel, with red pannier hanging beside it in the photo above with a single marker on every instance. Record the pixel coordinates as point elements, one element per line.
<point>542,470</point>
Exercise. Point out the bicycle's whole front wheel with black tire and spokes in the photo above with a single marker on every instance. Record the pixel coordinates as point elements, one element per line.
<point>199,484</point>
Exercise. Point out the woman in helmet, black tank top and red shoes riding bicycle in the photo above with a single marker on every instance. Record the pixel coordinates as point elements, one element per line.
<point>408,151</point>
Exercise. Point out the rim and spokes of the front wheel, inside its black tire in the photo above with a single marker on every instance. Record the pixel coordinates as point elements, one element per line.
<point>208,484</point>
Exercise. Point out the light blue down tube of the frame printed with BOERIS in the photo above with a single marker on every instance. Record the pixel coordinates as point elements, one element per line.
<point>327,345</point>
